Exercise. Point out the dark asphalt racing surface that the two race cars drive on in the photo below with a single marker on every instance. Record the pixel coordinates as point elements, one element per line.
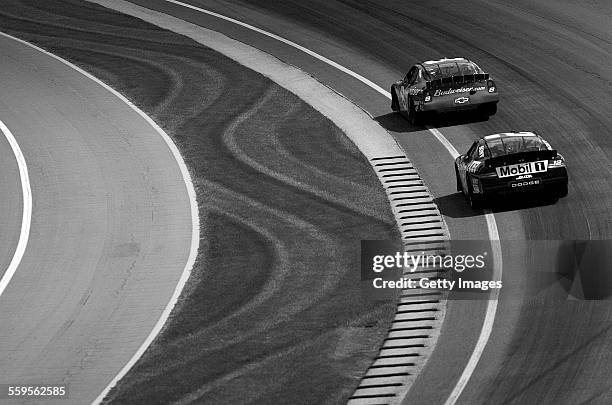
<point>550,60</point>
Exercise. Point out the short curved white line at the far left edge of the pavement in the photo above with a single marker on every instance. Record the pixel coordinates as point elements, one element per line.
<point>26,218</point>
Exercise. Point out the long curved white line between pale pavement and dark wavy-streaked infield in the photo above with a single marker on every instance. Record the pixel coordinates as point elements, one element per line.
<point>195,229</point>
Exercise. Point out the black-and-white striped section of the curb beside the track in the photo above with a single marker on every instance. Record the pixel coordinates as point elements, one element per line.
<point>420,313</point>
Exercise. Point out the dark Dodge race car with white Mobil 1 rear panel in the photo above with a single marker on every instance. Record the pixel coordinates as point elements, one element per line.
<point>514,162</point>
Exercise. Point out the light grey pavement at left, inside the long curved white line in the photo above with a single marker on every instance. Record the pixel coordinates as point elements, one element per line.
<point>110,232</point>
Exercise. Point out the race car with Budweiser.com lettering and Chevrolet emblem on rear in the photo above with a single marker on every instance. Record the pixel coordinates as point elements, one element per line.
<point>444,85</point>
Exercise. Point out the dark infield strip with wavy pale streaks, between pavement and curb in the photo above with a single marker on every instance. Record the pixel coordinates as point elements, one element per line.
<point>273,311</point>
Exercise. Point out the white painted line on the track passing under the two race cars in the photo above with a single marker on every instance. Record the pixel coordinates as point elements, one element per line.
<point>487,326</point>
